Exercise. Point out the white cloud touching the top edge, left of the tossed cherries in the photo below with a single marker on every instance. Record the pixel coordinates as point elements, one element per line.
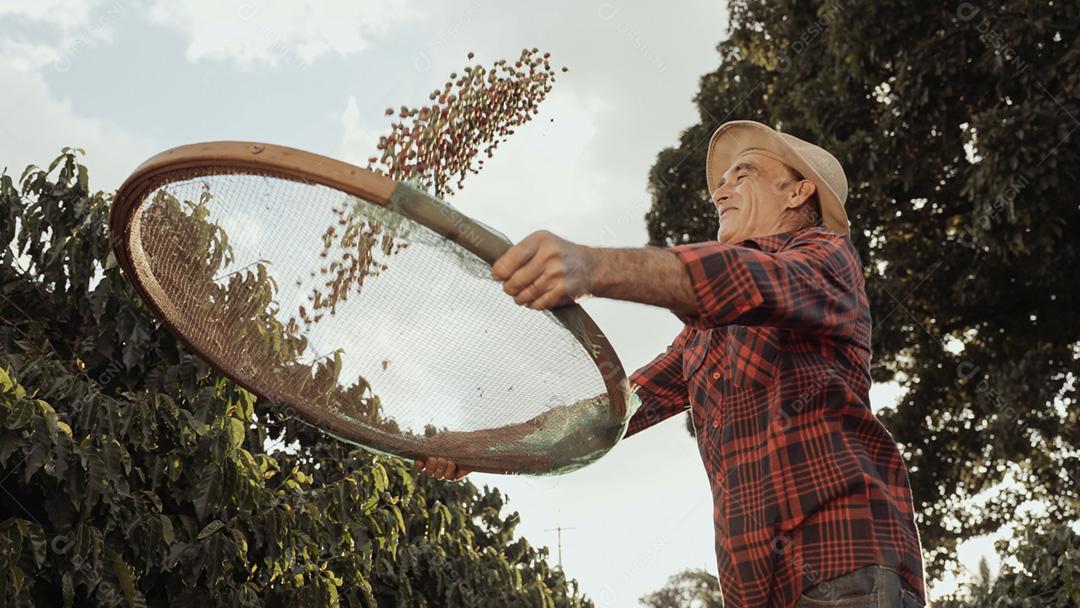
<point>251,33</point>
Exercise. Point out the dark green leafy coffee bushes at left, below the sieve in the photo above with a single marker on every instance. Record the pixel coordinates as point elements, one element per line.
<point>132,475</point>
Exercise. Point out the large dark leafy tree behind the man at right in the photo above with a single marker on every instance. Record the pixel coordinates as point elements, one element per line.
<point>957,127</point>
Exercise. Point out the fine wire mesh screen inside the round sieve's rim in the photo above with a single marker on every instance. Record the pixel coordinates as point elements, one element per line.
<point>367,323</point>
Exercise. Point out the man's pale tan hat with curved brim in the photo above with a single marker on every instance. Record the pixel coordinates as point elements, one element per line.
<point>738,138</point>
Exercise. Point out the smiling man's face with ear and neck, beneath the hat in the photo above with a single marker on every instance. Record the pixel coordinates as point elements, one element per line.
<point>753,195</point>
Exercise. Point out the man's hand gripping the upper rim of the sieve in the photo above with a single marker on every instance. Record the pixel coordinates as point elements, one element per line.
<point>546,272</point>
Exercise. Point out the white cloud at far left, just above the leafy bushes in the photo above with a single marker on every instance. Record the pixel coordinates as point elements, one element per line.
<point>40,126</point>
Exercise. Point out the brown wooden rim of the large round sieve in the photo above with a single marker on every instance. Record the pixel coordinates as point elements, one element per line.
<point>290,164</point>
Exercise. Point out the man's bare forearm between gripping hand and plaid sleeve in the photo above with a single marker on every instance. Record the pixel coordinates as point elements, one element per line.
<point>649,276</point>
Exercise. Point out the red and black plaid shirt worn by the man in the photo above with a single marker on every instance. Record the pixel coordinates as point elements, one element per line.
<point>775,369</point>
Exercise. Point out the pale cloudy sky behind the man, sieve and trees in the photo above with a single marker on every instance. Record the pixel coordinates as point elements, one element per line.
<point>125,80</point>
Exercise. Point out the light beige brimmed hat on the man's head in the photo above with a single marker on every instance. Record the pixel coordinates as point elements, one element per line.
<point>738,138</point>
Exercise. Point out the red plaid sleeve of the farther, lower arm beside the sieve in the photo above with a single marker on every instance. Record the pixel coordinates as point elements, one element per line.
<point>660,387</point>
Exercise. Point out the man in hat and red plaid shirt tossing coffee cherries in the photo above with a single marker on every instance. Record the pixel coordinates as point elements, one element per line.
<point>813,505</point>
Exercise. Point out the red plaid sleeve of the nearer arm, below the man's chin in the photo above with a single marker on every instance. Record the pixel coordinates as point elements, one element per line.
<point>809,287</point>
